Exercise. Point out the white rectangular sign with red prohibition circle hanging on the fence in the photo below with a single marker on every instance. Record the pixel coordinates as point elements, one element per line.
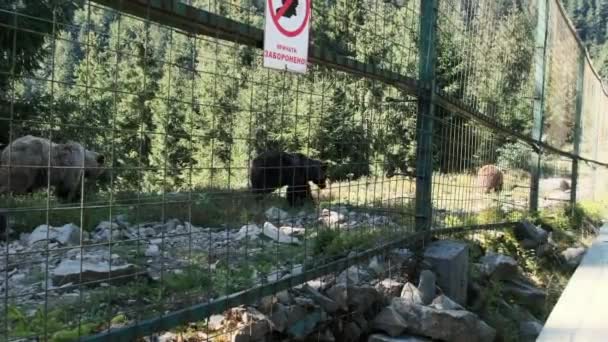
<point>286,34</point>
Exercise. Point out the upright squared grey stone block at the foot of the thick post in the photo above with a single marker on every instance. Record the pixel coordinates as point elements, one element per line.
<point>450,261</point>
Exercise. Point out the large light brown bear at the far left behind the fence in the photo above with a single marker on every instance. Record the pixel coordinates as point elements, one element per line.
<point>24,167</point>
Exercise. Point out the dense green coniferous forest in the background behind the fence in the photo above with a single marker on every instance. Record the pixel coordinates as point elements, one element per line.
<point>155,99</point>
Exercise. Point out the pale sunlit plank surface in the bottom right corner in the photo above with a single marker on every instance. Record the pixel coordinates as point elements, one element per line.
<point>581,314</point>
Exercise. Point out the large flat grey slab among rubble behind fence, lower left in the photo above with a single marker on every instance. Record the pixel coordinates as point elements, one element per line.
<point>69,271</point>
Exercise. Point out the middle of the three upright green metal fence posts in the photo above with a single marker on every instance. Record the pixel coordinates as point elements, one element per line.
<point>539,97</point>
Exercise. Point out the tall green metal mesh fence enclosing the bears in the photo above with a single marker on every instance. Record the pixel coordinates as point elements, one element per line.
<point>405,102</point>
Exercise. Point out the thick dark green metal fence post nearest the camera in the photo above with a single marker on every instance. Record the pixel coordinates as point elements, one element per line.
<point>426,113</point>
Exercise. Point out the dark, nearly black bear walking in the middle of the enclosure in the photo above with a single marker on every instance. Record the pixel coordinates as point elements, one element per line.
<point>272,170</point>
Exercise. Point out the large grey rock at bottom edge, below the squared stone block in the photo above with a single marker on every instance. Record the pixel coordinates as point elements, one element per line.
<point>445,325</point>
